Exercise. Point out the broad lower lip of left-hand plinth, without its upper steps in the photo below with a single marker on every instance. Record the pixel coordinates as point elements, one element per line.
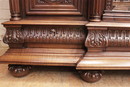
<point>39,60</point>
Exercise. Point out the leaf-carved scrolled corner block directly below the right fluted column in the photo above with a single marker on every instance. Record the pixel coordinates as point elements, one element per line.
<point>96,39</point>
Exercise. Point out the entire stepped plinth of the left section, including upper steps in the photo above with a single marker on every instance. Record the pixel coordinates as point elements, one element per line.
<point>42,56</point>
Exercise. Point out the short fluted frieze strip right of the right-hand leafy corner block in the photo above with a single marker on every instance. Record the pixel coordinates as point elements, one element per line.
<point>119,38</point>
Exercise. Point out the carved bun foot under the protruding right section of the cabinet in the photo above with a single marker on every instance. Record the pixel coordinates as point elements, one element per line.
<point>91,76</point>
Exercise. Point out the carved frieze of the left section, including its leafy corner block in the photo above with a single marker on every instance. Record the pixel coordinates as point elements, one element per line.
<point>46,34</point>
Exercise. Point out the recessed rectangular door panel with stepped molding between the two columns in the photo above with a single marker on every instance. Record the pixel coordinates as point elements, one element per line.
<point>55,7</point>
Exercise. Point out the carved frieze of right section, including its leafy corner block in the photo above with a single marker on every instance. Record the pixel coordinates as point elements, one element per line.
<point>108,38</point>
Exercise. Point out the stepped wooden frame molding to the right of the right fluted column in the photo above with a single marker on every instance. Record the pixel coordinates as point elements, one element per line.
<point>110,14</point>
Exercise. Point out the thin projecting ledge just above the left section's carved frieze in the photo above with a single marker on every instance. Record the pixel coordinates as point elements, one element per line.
<point>44,22</point>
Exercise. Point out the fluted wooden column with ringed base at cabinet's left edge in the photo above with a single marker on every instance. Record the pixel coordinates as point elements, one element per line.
<point>15,10</point>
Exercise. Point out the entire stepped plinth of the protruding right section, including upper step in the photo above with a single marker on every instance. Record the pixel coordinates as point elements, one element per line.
<point>105,61</point>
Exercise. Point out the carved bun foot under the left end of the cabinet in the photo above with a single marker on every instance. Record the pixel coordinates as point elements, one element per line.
<point>19,70</point>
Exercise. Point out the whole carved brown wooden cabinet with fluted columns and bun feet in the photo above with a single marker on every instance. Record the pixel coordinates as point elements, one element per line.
<point>90,35</point>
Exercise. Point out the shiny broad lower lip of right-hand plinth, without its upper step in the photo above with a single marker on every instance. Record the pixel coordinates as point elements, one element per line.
<point>104,63</point>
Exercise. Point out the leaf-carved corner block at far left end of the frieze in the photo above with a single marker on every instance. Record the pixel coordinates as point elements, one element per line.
<point>14,36</point>
